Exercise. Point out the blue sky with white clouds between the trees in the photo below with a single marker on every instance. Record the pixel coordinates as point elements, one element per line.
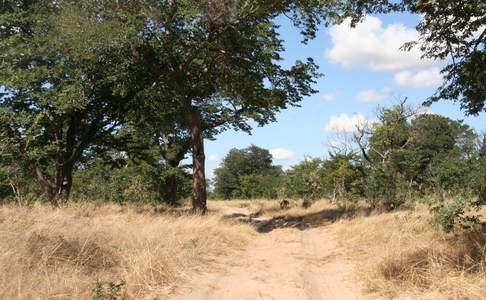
<point>363,68</point>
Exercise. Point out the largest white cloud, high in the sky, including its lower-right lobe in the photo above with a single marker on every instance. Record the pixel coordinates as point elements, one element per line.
<point>373,45</point>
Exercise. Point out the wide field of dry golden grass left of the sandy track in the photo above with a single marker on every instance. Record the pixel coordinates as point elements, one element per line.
<point>60,254</point>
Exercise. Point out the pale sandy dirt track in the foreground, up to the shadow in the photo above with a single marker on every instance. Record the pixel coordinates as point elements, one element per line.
<point>281,264</point>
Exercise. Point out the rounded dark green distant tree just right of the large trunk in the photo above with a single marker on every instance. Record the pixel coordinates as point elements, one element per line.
<point>247,173</point>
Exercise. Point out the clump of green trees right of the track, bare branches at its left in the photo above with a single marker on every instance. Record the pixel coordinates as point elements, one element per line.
<point>406,152</point>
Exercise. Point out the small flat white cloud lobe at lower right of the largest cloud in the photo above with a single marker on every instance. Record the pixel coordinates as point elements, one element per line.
<point>425,78</point>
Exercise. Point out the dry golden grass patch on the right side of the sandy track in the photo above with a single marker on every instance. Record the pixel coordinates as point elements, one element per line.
<point>401,255</point>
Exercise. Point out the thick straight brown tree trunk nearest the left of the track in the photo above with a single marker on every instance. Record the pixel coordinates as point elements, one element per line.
<point>198,160</point>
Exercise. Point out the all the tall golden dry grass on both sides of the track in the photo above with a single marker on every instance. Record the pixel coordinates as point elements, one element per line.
<point>61,254</point>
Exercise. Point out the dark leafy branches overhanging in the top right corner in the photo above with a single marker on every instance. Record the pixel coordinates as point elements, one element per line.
<point>456,30</point>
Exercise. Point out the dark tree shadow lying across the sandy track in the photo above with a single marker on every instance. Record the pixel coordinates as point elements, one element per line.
<point>301,222</point>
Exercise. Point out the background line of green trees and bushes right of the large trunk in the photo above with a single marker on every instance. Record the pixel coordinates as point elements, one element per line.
<point>404,157</point>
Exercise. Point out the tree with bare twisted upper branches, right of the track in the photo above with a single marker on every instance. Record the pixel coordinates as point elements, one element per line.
<point>383,146</point>
